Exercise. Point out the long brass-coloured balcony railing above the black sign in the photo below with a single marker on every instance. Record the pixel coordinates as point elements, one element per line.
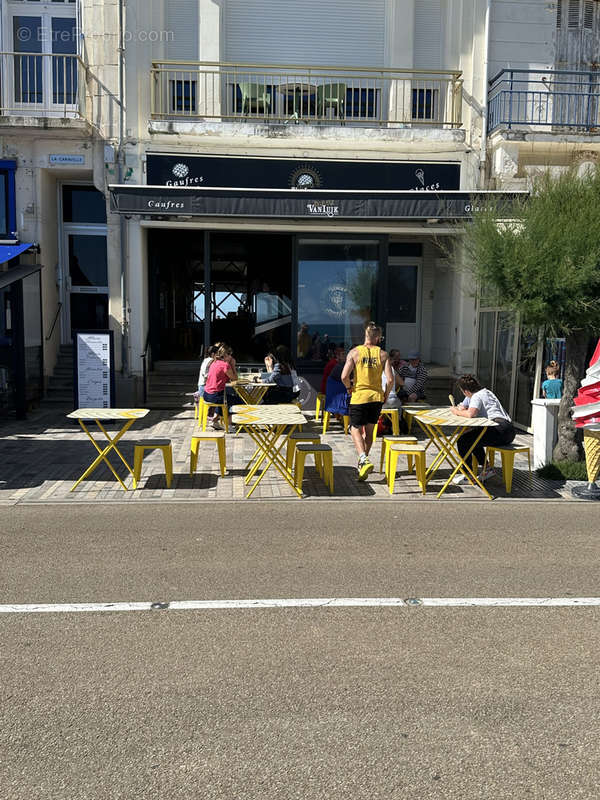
<point>316,95</point>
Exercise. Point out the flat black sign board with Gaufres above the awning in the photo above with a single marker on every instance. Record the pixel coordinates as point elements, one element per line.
<point>282,173</point>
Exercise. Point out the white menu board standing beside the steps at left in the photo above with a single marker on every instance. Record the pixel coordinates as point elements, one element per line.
<point>94,369</point>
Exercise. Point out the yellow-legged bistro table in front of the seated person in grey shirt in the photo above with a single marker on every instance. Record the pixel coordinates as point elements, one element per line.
<point>444,429</point>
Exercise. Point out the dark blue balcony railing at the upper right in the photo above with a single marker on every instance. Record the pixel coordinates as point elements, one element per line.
<point>551,100</point>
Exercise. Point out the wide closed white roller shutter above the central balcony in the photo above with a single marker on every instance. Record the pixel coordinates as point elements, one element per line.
<point>336,32</point>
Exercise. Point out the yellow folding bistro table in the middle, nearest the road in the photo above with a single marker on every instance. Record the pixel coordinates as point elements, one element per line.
<point>265,426</point>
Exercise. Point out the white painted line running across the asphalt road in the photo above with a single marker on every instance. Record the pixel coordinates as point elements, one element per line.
<point>300,602</point>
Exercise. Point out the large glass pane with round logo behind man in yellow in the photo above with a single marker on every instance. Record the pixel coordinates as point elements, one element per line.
<point>336,293</point>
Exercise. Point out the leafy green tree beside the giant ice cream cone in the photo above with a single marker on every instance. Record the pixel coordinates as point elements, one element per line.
<point>542,258</point>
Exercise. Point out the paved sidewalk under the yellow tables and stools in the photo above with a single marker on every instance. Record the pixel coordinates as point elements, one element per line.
<point>41,458</point>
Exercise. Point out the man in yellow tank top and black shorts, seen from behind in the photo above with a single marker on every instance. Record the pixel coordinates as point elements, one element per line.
<point>367,361</point>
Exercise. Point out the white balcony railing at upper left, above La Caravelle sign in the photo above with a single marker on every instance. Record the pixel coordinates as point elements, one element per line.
<point>60,86</point>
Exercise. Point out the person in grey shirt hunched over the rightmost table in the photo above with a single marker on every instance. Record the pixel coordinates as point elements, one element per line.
<point>480,402</point>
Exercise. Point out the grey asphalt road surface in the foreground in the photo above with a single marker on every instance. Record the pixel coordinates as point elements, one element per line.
<point>300,703</point>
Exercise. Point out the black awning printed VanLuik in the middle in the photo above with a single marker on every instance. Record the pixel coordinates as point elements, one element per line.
<point>300,204</point>
